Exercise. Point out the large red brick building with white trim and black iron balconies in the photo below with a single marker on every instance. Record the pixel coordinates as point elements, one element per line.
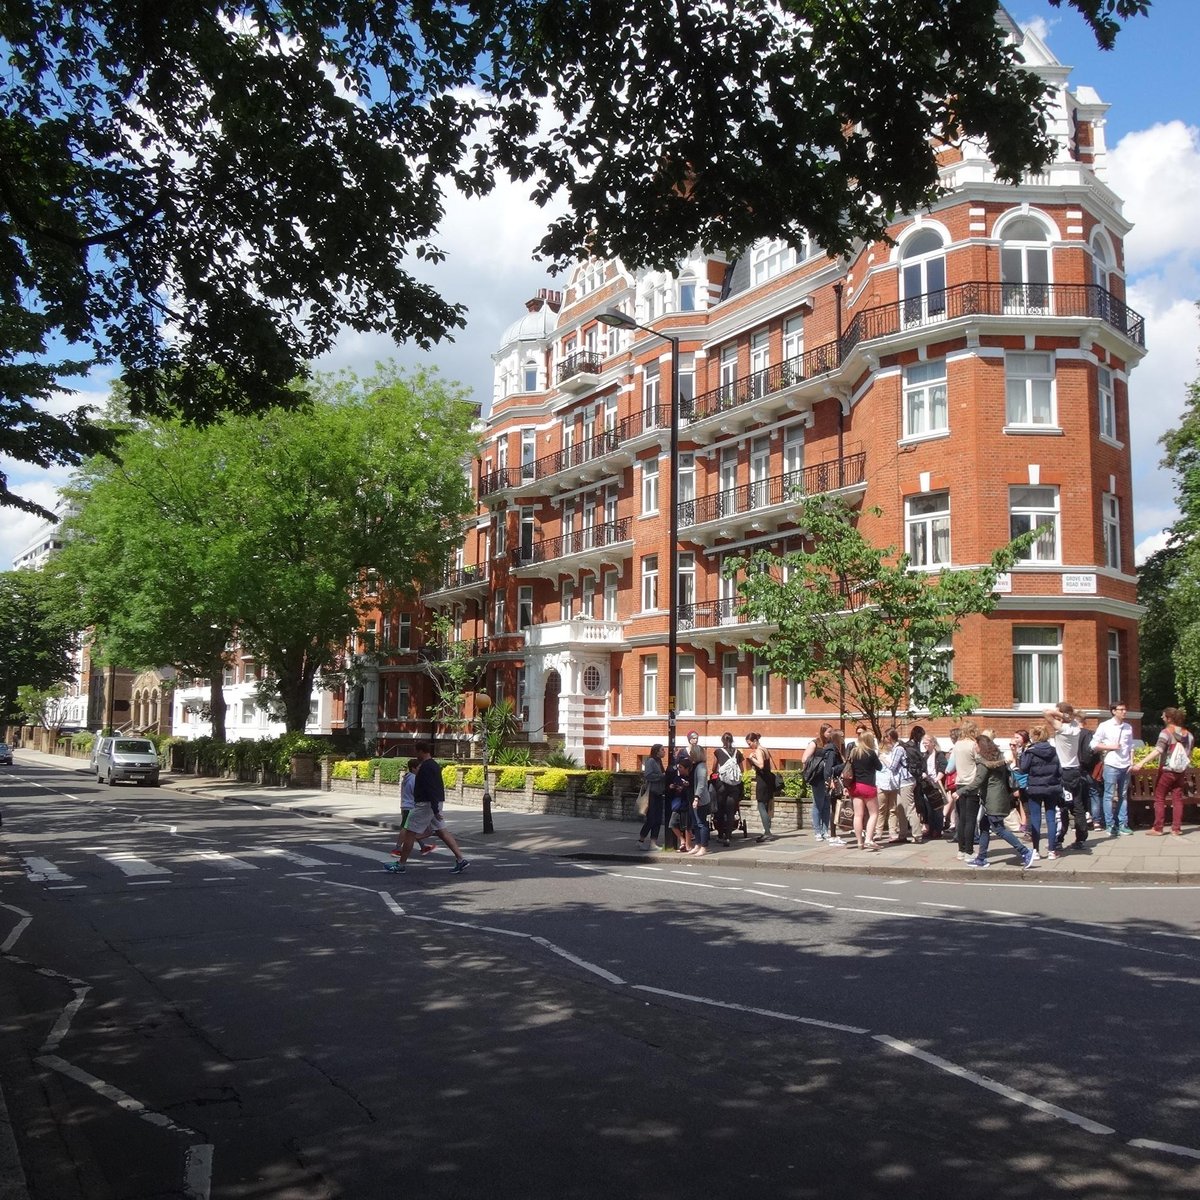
<point>969,379</point>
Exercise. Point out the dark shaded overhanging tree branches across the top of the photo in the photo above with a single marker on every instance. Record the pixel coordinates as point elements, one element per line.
<point>207,184</point>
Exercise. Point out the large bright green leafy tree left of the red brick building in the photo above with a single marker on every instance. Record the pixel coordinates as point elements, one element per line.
<point>267,529</point>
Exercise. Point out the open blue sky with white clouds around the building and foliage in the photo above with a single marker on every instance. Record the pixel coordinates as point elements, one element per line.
<point>1154,141</point>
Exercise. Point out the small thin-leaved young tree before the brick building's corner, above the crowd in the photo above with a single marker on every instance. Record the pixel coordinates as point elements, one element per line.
<point>862,631</point>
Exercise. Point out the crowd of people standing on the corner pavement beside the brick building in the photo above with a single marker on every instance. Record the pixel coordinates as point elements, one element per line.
<point>1051,781</point>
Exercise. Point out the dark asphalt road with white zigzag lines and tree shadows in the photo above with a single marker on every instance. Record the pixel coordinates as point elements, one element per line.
<point>218,1001</point>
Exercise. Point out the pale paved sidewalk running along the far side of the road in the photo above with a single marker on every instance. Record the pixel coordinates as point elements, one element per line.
<point>1131,861</point>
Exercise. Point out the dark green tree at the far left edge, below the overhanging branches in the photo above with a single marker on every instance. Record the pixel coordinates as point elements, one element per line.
<point>37,638</point>
